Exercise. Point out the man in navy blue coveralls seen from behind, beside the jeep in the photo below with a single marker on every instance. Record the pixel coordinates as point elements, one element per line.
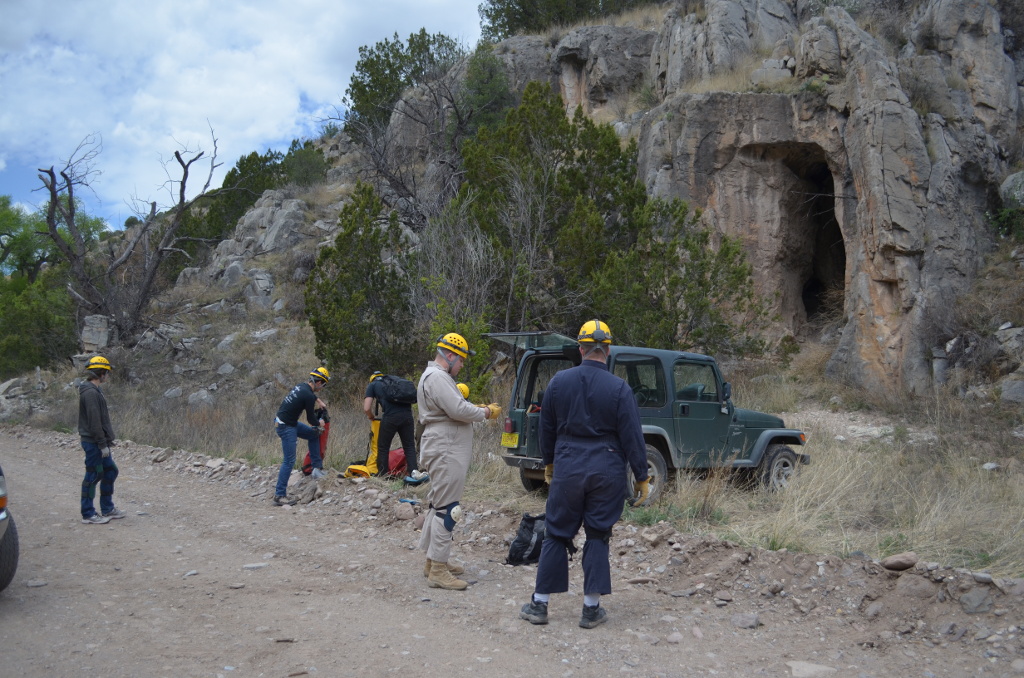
<point>590,430</point>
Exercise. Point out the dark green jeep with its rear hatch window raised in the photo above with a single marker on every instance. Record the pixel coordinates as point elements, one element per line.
<point>690,421</point>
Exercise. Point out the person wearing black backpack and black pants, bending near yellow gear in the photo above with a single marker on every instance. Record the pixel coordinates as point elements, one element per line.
<point>396,396</point>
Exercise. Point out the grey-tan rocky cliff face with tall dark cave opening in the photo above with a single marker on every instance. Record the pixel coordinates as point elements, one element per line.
<point>870,182</point>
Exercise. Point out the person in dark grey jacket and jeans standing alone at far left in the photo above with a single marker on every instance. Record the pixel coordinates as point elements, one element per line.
<point>98,439</point>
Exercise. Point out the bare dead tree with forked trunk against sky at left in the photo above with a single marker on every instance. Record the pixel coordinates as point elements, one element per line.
<point>119,282</point>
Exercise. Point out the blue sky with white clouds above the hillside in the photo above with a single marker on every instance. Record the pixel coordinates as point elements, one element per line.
<point>146,79</point>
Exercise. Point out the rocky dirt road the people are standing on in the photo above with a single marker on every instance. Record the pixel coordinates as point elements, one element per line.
<point>206,578</point>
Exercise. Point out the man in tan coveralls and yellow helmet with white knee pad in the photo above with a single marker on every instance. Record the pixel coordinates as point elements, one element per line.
<point>446,451</point>
